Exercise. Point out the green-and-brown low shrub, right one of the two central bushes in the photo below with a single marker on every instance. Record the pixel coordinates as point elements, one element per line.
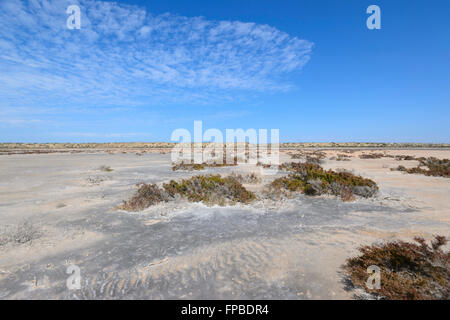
<point>312,179</point>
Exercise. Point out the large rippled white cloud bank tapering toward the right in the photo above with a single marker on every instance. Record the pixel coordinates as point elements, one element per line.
<point>124,55</point>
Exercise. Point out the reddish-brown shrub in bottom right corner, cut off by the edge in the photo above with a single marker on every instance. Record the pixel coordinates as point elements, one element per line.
<point>408,270</point>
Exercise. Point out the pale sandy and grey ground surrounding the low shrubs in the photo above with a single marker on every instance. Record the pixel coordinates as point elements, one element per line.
<point>290,249</point>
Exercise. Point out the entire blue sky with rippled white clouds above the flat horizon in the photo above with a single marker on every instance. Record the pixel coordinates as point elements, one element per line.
<point>137,70</point>
